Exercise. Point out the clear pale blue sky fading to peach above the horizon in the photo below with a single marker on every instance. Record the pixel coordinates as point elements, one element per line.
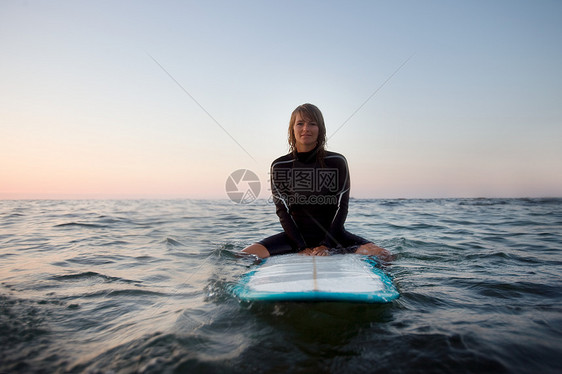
<point>85,111</point>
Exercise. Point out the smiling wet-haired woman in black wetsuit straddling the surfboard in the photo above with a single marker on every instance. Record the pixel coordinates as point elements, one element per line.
<point>310,189</point>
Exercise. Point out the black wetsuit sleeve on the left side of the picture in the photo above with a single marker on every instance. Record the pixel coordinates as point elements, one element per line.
<point>280,194</point>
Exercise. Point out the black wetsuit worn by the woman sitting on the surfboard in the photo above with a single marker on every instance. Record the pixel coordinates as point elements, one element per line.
<point>311,201</point>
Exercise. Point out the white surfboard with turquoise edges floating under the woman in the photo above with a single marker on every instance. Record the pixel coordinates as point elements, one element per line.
<point>293,277</point>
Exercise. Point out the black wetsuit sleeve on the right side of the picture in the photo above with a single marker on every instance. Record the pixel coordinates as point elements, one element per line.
<point>337,229</point>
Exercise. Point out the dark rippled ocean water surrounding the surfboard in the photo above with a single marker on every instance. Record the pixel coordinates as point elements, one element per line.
<point>144,286</point>
